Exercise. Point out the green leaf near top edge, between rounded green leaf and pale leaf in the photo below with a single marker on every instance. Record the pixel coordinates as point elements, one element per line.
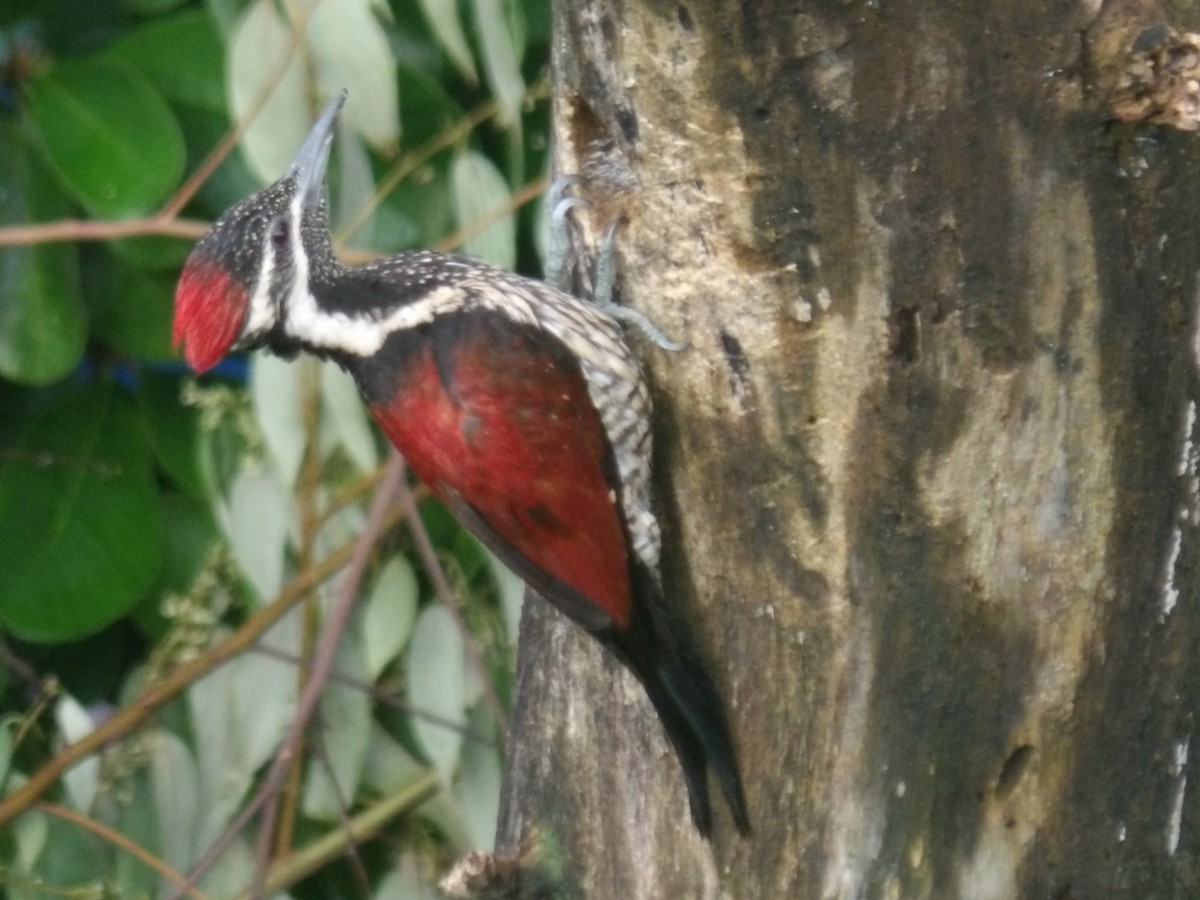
<point>183,56</point>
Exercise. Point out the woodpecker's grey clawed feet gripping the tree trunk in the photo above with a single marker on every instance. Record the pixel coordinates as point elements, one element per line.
<point>604,281</point>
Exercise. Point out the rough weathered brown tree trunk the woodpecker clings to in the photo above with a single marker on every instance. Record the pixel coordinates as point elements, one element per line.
<point>928,465</point>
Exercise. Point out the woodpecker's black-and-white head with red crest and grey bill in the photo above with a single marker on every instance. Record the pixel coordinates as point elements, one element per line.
<point>254,266</point>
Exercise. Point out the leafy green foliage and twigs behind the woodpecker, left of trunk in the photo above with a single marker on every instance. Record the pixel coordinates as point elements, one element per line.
<point>149,519</point>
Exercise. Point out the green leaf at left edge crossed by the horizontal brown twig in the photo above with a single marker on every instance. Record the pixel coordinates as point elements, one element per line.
<point>43,321</point>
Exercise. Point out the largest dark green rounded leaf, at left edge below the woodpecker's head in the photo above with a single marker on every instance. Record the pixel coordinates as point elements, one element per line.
<point>81,525</point>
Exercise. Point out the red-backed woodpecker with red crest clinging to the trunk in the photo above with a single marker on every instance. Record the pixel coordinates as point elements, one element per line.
<point>520,406</point>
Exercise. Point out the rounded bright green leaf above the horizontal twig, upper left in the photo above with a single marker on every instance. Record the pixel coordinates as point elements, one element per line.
<point>109,135</point>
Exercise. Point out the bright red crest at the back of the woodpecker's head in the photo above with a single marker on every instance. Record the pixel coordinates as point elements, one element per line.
<point>211,308</point>
